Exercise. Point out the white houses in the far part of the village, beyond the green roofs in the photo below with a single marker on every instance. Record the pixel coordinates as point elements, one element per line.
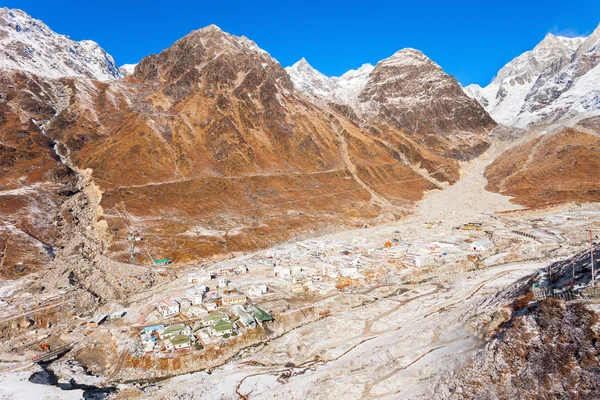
<point>318,265</point>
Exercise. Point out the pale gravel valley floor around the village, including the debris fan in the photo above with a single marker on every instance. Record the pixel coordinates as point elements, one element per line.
<point>380,340</point>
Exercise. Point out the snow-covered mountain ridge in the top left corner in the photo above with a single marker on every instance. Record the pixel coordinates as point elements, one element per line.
<point>27,44</point>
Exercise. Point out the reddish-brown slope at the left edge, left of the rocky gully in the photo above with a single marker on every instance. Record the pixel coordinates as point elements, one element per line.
<point>33,181</point>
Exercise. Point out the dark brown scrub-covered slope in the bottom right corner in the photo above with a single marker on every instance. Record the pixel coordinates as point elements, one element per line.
<point>549,352</point>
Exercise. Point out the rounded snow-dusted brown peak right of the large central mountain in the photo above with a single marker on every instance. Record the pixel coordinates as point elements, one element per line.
<point>412,93</point>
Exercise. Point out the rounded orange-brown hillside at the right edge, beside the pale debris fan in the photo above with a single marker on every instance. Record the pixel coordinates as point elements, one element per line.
<point>549,169</point>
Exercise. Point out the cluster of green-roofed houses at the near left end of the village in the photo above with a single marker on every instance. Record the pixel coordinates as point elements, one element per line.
<point>214,327</point>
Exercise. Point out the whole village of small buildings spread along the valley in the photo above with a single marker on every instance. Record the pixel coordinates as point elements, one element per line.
<point>222,302</point>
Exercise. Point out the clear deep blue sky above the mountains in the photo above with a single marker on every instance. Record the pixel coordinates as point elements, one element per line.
<point>469,39</point>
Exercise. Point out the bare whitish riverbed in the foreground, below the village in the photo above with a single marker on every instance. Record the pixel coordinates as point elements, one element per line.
<point>394,347</point>
